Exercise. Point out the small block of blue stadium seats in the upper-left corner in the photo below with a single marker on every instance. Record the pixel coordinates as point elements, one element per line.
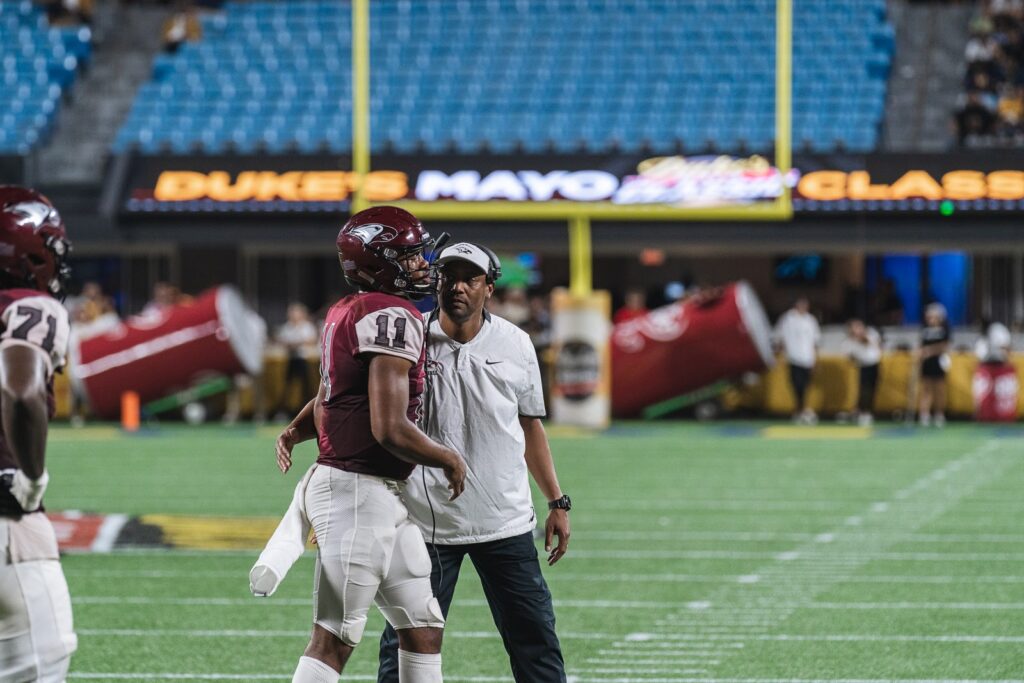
<point>39,65</point>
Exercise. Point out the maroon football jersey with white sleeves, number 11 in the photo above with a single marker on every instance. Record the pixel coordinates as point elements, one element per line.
<point>357,328</point>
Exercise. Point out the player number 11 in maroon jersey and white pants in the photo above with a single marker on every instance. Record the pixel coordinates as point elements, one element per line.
<point>369,401</point>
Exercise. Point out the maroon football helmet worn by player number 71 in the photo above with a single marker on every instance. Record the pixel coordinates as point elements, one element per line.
<point>33,242</point>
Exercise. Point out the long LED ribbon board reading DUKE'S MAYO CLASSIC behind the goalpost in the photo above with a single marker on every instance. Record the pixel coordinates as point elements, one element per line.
<point>975,183</point>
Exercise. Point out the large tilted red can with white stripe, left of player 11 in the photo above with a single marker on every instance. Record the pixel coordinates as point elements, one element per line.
<point>160,354</point>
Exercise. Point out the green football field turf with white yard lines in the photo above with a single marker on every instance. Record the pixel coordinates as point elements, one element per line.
<point>732,552</point>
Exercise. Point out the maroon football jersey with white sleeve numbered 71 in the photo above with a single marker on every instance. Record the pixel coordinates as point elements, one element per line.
<point>31,319</point>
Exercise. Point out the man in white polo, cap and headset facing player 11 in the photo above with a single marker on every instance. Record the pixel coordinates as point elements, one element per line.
<point>484,399</point>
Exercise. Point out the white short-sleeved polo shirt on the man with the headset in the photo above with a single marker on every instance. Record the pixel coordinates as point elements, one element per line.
<point>477,393</point>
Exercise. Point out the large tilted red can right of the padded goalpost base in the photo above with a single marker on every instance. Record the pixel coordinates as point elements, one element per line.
<point>685,347</point>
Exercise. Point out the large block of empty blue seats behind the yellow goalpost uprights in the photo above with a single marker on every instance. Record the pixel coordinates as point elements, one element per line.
<point>531,75</point>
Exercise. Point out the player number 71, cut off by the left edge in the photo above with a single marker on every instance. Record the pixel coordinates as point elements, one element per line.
<point>36,635</point>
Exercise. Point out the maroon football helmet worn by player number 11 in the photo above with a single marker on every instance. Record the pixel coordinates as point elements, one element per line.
<point>371,246</point>
